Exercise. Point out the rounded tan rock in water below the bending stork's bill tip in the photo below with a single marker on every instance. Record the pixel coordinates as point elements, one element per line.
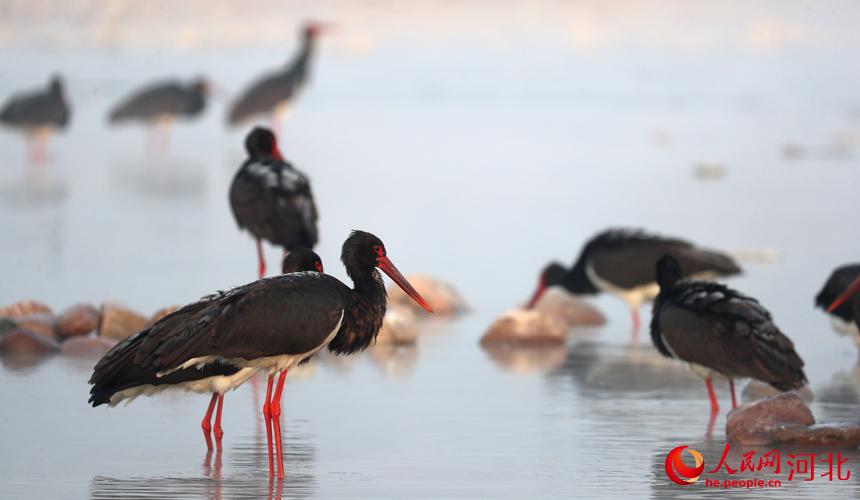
<point>525,328</point>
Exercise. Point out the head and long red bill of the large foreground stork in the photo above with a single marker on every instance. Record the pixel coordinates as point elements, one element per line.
<point>364,252</point>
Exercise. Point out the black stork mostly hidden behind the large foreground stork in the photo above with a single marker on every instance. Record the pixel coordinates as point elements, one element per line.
<point>118,376</point>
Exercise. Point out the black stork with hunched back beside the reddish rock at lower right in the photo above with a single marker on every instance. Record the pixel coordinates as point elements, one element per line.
<point>719,331</point>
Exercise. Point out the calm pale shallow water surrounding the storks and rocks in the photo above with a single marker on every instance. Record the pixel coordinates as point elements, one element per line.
<point>477,156</point>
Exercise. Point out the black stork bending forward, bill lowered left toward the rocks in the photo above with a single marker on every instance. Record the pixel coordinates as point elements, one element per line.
<point>621,262</point>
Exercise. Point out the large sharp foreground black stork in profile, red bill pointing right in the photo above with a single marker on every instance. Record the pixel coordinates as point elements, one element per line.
<point>271,324</point>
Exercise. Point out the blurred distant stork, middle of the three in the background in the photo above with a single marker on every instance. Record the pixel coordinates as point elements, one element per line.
<point>160,103</point>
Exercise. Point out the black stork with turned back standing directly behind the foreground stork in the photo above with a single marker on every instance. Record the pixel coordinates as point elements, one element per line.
<point>271,199</point>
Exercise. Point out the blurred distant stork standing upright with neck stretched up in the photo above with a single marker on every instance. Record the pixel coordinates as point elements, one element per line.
<point>272,93</point>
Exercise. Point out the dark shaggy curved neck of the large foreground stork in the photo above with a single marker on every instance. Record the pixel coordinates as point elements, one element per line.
<point>363,317</point>
